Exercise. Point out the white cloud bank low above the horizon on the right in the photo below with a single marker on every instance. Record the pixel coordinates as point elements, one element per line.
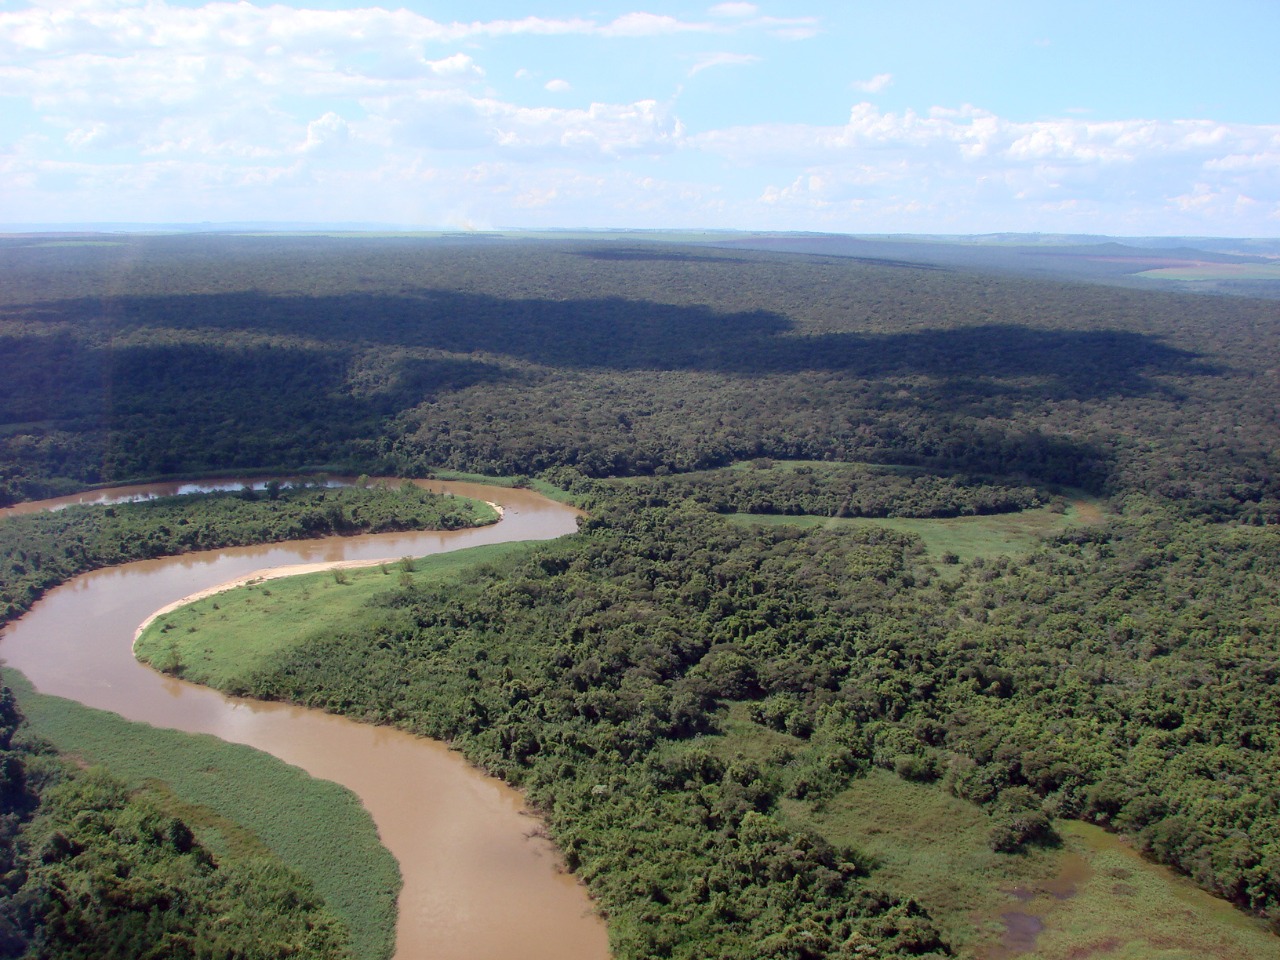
<point>967,163</point>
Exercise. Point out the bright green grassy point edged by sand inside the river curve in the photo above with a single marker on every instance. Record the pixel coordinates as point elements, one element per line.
<point>223,639</point>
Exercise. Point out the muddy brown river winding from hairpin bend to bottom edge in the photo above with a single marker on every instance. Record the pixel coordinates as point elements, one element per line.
<point>477,885</point>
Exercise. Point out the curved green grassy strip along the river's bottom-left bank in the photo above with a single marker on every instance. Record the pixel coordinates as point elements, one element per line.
<point>240,802</point>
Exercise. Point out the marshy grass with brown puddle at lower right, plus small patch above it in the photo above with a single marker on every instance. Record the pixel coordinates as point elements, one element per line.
<point>1091,898</point>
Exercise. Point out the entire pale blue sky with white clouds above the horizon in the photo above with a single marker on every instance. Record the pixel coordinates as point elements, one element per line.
<point>1122,117</point>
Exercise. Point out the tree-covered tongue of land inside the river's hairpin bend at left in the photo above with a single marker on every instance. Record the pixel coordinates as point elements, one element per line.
<point>40,551</point>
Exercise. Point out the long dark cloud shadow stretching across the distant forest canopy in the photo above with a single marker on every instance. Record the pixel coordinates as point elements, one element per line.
<point>618,335</point>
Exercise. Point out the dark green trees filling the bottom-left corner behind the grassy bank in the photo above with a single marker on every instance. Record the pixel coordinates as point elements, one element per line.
<point>92,872</point>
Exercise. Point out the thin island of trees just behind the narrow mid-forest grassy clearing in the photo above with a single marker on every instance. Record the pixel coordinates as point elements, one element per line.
<point>843,491</point>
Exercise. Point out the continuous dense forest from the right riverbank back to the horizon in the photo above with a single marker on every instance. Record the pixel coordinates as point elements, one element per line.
<point>1122,674</point>
